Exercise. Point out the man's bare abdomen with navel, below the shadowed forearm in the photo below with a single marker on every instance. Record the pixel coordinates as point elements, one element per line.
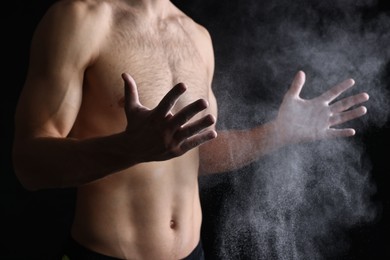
<point>149,211</point>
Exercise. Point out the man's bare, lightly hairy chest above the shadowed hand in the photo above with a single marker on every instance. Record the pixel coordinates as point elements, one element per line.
<point>156,60</point>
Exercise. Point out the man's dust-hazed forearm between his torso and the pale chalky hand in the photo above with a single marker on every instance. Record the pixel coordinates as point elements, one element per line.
<point>233,149</point>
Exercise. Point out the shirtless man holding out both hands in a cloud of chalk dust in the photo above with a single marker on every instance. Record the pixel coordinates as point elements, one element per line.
<point>118,103</point>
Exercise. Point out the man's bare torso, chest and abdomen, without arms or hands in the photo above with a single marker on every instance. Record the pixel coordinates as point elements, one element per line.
<point>151,210</point>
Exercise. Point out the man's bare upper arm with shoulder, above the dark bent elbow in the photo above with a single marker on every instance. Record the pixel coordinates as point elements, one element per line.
<point>63,46</point>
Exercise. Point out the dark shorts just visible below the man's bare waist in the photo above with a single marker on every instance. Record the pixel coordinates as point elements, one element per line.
<point>75,251</point>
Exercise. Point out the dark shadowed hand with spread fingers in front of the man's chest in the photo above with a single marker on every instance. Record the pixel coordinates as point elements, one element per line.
<point>160,135</point>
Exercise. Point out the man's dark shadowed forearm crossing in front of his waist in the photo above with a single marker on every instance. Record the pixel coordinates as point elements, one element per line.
<point>48,162</point>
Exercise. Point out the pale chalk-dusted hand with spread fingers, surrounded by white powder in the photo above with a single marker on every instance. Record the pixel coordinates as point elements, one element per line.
<point>307,120</point>
